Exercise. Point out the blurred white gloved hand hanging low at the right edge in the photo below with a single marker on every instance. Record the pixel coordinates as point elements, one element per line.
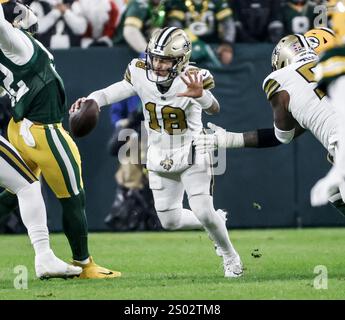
<point>325,188</point>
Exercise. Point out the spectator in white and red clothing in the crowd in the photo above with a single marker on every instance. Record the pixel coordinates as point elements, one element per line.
<point>102,17</point>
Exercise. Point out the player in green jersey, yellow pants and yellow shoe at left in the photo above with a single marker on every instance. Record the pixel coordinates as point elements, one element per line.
<point>37,93</point>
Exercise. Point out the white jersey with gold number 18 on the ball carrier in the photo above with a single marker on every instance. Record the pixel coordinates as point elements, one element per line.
<point>171,122</point>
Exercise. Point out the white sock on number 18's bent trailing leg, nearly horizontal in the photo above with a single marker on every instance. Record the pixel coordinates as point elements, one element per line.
<point>179,219</point>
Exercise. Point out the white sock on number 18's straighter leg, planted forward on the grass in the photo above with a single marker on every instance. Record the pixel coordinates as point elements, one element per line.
<point>202,206</point>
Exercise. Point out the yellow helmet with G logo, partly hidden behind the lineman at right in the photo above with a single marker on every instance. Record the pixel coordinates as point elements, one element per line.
<point>320,39</point>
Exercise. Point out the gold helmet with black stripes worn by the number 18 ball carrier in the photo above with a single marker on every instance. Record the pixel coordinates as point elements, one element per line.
<point>170,43</point>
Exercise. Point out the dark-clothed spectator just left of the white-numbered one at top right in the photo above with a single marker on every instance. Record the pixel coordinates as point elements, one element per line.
<point>258,20</point>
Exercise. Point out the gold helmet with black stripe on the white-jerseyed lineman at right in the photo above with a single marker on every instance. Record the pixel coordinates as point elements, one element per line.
<point>291,49</point>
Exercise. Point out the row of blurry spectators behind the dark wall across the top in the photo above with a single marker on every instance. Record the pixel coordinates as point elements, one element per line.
<point>214,26</point>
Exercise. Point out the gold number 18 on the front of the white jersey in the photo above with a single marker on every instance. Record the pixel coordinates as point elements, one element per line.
<point>173,118</point>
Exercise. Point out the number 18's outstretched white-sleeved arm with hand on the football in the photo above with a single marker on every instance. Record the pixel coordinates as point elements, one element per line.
<point>116,92</point>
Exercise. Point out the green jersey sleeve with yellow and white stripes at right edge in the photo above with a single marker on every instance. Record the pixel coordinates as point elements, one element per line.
<point>330,67</point>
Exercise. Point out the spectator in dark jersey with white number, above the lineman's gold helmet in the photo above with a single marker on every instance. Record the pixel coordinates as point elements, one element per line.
<point>298,16</point>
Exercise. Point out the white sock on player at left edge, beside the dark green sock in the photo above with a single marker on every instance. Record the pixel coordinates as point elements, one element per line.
<point>33,213</point>
